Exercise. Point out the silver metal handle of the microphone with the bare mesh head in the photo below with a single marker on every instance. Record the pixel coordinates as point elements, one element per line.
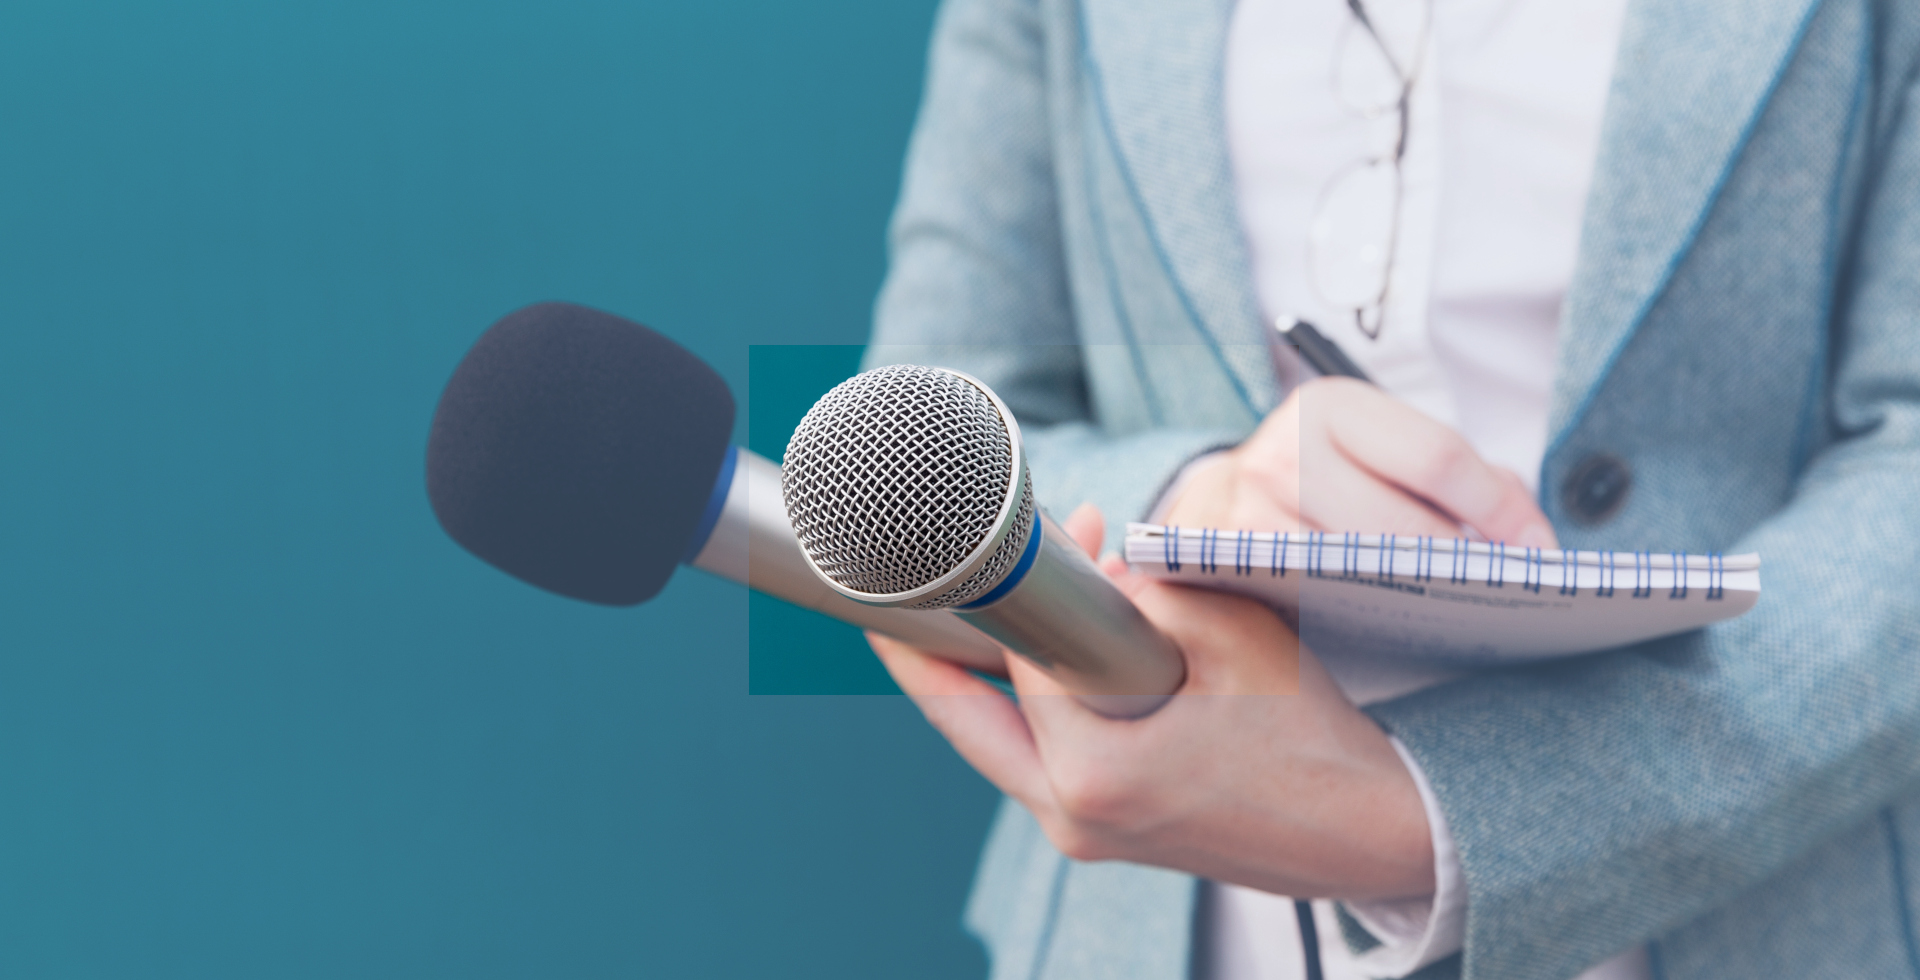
<point>1074,624</point>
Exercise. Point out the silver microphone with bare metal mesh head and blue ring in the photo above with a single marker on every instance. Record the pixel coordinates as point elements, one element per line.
<point>909,489</point>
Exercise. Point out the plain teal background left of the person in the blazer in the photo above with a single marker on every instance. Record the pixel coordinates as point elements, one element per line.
<point>258,718</point>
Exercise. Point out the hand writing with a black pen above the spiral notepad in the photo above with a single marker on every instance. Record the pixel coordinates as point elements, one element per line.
<point>1341,454</point>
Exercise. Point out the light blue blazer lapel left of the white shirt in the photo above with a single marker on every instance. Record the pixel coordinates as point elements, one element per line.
<point>1155,76</point>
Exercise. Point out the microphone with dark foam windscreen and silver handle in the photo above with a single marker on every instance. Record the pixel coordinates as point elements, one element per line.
<point>588,456</point>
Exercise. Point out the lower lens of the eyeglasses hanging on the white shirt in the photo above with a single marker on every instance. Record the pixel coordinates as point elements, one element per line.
<point>1353,237</point>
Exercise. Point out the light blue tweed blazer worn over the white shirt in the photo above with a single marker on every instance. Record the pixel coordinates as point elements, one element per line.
<point>1744,333</point>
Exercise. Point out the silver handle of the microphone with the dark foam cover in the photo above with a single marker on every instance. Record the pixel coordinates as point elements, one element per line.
<point>756,545</point>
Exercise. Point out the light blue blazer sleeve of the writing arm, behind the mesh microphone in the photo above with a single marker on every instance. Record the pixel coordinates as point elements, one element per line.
<point>978,276</point>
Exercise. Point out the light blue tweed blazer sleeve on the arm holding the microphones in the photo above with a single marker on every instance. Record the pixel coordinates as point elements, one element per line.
<point>1604,802</point>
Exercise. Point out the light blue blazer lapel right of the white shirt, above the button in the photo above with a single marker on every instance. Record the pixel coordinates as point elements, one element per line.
<point>1691,82</point>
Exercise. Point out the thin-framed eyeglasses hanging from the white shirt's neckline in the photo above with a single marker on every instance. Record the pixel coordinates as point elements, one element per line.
<point>1356,222</point>
